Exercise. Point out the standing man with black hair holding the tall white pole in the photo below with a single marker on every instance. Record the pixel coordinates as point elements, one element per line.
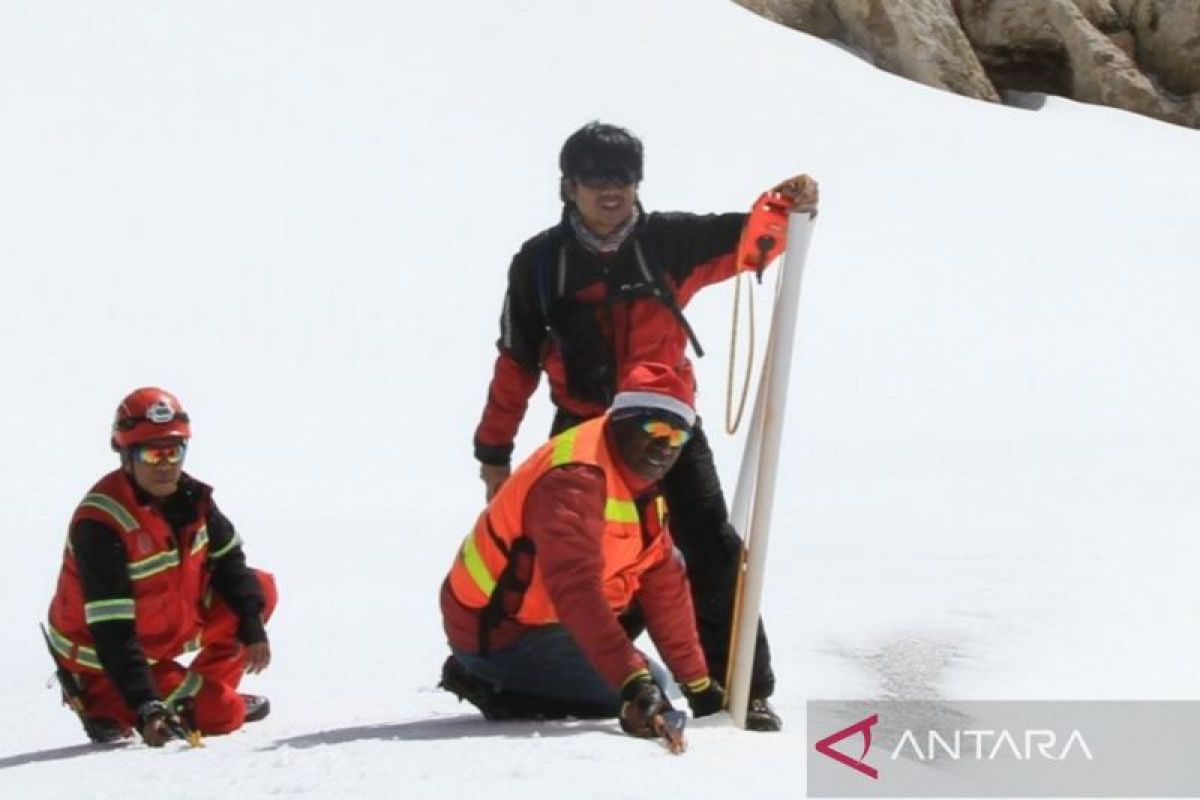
<point>599,293</point>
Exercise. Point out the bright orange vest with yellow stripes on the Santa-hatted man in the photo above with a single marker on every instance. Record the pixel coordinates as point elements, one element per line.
<point>496,570</point>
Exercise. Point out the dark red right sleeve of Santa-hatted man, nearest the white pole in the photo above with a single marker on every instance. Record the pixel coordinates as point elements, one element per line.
<point>667,601</point>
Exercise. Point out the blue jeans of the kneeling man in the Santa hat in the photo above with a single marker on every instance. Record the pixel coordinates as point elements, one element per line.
<point>547,663</point>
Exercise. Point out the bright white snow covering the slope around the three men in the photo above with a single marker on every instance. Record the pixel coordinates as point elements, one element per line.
<point>299,215</point>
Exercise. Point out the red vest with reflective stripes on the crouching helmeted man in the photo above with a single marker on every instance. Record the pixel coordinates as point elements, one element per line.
<point>169,580</point>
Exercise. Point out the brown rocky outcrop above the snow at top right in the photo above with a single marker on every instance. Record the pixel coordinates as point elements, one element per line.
<point>1142,56</point>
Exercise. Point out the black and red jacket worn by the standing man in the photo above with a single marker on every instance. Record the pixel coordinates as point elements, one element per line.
<point>585,318</point>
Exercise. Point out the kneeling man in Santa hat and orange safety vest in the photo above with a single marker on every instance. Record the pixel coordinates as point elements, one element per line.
<point>579,533</point>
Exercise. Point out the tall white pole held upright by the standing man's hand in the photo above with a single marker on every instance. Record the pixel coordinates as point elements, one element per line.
<point>755,495</point>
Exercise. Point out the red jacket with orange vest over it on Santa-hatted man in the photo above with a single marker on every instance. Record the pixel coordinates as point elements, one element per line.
<point>584,573</point>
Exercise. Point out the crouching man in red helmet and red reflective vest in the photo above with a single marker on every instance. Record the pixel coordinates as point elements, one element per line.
<point>152,570</point>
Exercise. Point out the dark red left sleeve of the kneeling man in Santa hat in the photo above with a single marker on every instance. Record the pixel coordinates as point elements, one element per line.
<point>565,518</point>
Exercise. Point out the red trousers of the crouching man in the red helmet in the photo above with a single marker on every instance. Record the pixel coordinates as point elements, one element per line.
<point>217,670</point>
